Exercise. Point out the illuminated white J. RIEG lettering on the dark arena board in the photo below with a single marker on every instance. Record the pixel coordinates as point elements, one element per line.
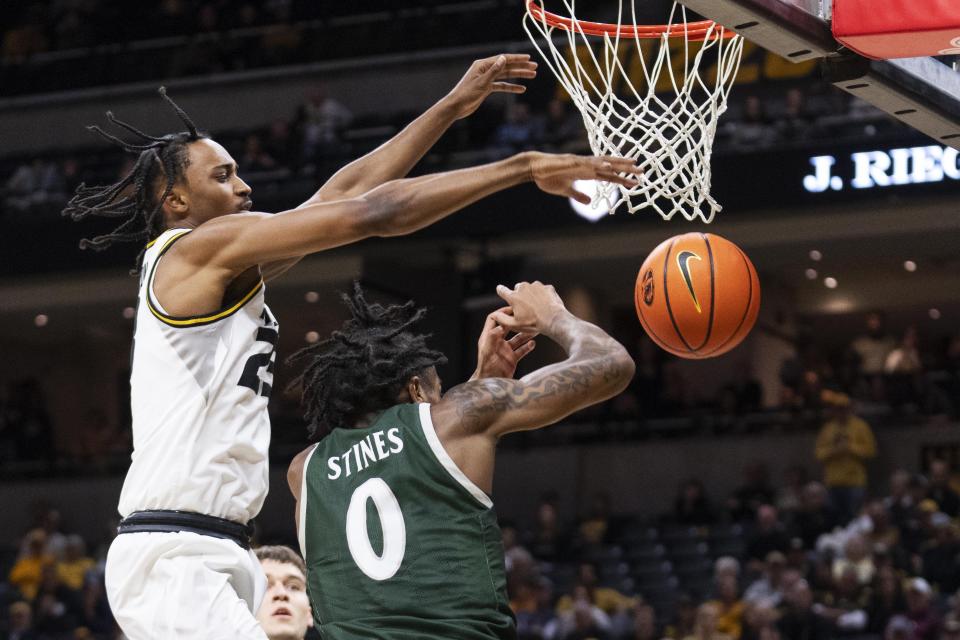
<point>892,167</point>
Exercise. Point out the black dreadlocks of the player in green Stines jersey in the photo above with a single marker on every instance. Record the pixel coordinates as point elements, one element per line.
<point>363,366</point>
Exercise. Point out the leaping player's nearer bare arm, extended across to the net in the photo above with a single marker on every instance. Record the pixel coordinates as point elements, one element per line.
<point>235,243</point>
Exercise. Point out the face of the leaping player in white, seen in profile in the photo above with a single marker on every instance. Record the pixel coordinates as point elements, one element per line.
<point>214,188</point>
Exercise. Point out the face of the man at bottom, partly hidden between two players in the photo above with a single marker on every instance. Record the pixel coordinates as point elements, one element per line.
<point>285,611</point>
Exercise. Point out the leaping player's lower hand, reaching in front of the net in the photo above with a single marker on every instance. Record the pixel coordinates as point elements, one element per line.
<point>555,173</point>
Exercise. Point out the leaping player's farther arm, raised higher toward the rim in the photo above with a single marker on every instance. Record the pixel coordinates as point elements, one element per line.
<point>396,157</point>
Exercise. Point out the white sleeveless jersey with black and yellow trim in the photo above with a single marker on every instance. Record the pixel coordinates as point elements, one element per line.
<point>199,392</point>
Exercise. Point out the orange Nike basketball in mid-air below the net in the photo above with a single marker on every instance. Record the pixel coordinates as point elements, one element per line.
<point>697,295</point>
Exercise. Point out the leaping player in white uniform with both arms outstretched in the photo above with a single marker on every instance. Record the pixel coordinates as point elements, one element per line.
<point>203,345</point>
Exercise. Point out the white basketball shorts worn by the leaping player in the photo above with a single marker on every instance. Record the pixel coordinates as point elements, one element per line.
<point>184,585</point>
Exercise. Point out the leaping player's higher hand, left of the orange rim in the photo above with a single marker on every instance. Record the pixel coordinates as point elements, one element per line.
<point>487,76</point>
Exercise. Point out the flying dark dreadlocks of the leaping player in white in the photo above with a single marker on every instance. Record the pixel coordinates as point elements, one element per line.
<point>165,156</point>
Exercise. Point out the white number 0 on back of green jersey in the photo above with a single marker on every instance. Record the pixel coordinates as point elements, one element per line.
<point>383,566</point>
